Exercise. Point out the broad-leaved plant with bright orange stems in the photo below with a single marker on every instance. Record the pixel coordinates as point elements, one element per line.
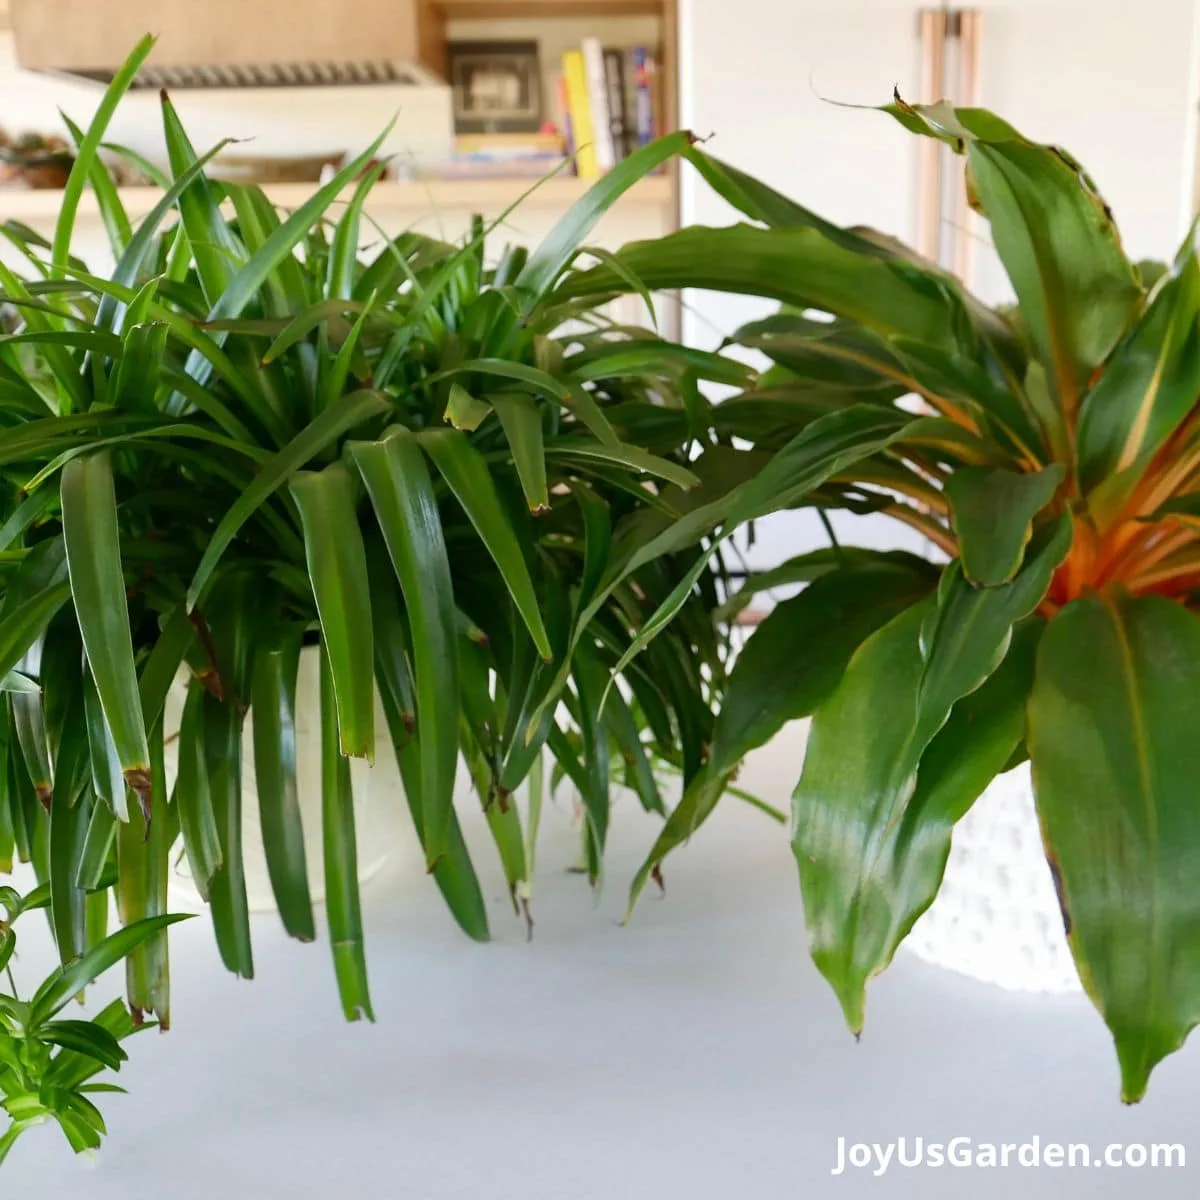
<point>1053,463</point>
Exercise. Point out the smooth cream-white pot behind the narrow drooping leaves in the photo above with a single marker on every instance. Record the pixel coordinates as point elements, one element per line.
<point>383,827</point>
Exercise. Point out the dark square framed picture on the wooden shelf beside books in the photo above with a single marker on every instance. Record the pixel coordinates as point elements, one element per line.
<point>497,87</point>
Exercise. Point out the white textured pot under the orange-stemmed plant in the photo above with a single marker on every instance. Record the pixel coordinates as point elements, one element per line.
<point>997,916</point>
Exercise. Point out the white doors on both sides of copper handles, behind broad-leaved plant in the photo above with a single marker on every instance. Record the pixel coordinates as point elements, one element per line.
<point>1113,82</point>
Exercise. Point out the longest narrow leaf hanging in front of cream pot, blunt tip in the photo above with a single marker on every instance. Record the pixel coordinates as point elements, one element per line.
<point>341,862</point>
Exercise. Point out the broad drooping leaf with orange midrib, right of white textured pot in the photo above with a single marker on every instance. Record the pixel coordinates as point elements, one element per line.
<point>1114,718</point>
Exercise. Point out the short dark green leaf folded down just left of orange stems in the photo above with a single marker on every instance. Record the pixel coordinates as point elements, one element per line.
<point>994,512</point>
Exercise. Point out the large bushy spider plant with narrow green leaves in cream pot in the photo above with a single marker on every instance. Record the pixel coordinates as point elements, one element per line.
<point>251,436</point>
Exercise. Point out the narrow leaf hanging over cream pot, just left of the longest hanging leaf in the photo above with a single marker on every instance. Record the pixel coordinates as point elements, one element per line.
<point>273,707</point>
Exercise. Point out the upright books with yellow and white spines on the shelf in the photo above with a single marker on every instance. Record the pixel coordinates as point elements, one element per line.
<point>610,104</point>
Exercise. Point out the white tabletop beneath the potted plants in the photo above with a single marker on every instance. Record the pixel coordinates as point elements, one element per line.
<point>692,1054</point>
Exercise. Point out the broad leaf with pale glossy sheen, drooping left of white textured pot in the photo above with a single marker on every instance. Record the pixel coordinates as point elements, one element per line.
<point>848,809</point>
